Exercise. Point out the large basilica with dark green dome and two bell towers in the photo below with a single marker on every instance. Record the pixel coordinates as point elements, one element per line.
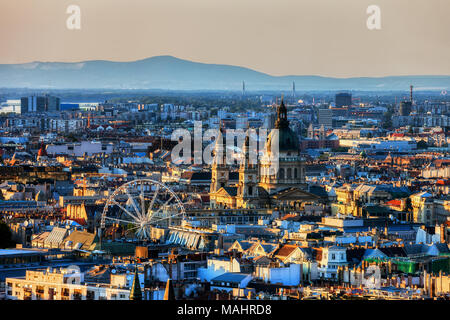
<point>276,181</point>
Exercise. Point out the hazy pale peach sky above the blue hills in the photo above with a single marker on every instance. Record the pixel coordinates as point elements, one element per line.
<point>279,37</point>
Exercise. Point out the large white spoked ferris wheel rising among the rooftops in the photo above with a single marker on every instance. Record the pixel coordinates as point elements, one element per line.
<point>141,203</point>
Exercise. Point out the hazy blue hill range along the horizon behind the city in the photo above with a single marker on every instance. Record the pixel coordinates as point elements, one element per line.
<point>167,72</point>
